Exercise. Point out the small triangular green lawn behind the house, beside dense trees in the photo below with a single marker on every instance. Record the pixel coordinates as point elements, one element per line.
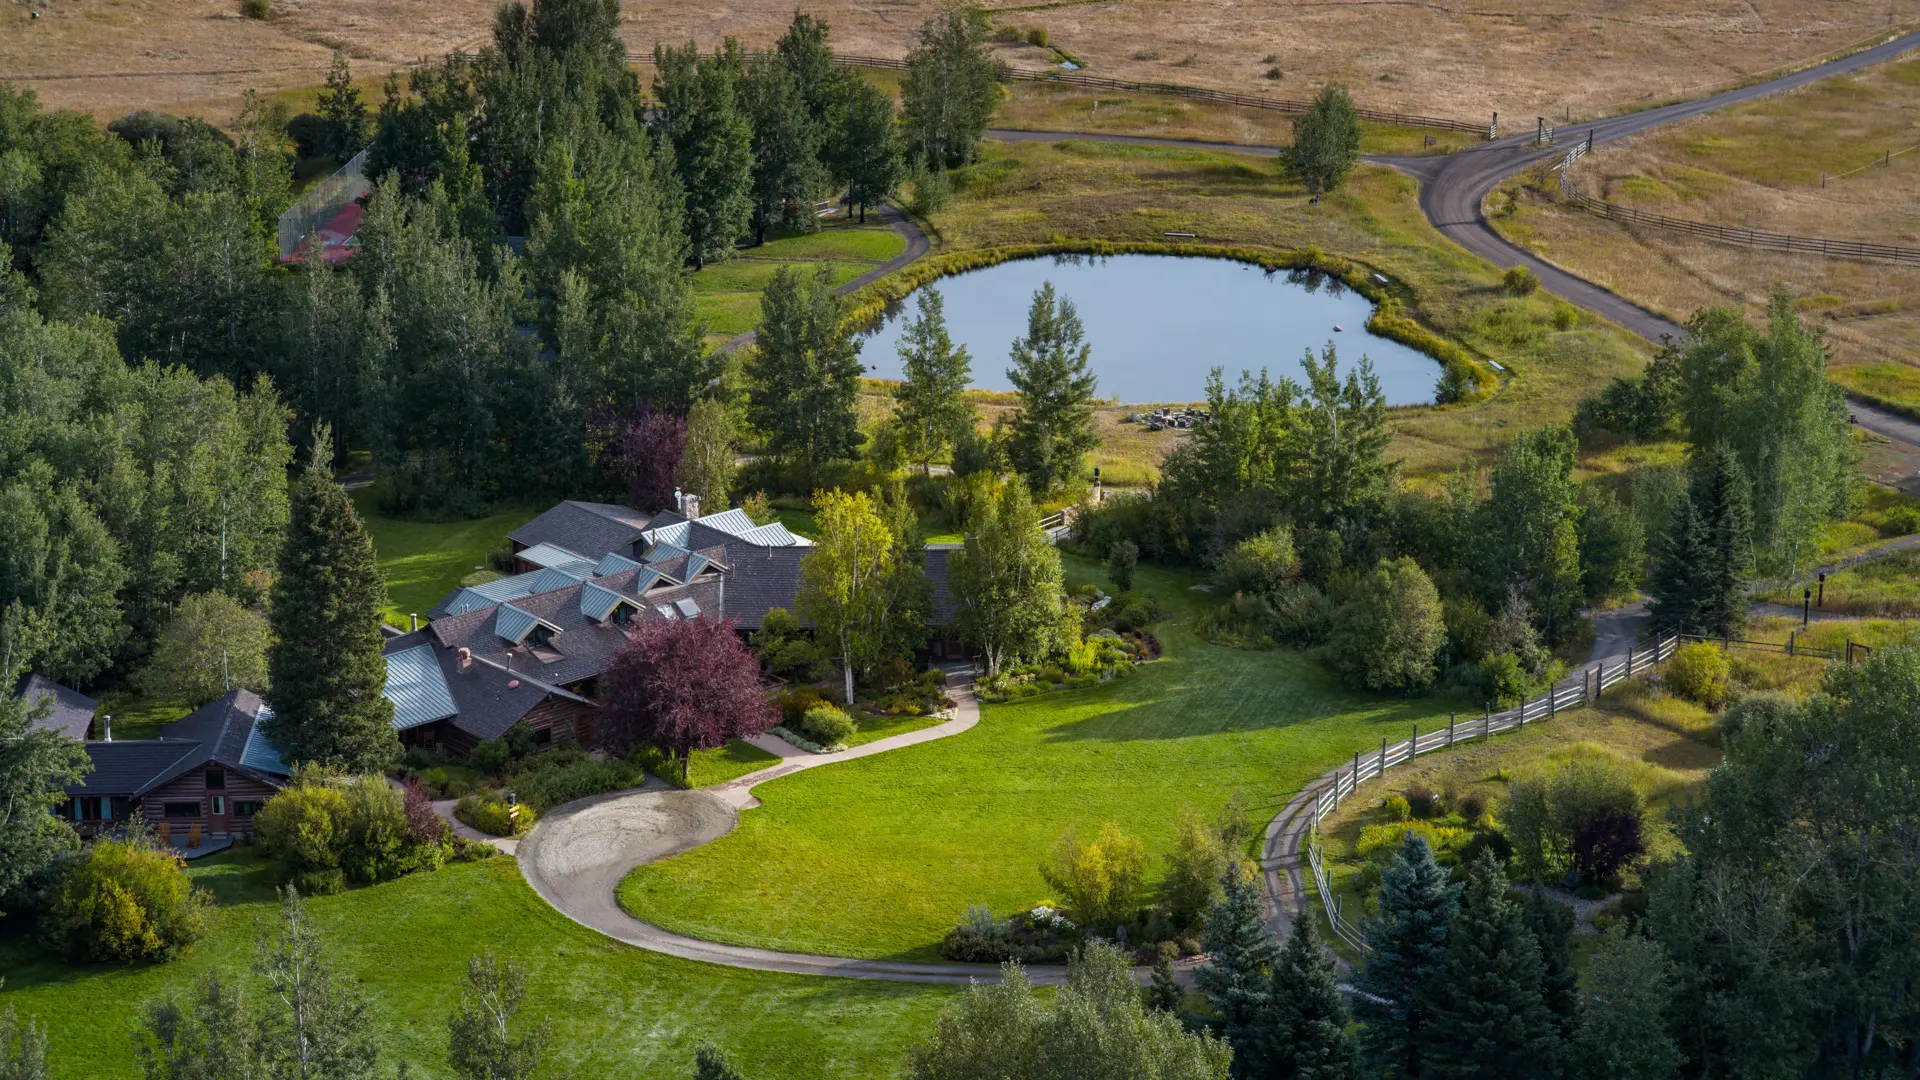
<point>425,560</point>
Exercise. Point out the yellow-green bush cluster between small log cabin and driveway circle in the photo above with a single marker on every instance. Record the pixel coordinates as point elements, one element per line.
<point>329,831</point>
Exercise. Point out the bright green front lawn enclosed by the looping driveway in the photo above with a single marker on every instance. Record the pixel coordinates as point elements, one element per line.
<point>878,858</point>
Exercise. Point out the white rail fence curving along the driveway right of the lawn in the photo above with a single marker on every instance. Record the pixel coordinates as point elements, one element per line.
<point>1347,779</point>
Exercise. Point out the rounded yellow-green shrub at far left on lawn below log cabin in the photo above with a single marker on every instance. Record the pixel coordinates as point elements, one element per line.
<point>126,900</point>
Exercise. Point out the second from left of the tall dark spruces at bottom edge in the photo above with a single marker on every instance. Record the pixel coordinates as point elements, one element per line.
<point>1307,1033</point>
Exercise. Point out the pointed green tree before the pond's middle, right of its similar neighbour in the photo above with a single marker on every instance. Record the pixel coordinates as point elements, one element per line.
<point>1053,428</point>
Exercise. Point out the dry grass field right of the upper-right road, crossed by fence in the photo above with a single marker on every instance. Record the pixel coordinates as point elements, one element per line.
<point>1760,166</point>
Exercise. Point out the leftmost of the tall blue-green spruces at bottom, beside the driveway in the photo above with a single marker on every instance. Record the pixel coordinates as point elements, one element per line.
<point>1239,973</point>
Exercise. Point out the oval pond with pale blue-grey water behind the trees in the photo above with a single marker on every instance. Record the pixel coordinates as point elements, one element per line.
<point>1157,324</point>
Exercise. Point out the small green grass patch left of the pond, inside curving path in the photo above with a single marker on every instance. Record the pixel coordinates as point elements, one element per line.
<point>727,295</point>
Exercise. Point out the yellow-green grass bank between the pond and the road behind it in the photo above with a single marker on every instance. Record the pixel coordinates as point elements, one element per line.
<point>1115,197</point>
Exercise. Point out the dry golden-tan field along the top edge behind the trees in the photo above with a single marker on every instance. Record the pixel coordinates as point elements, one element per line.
<point>1524,59</point>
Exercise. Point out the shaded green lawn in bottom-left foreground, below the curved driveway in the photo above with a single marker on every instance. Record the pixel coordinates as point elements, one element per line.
<point>615,1010</point>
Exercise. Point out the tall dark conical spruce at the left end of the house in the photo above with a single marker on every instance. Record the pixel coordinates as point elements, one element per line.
<point>325,664</point>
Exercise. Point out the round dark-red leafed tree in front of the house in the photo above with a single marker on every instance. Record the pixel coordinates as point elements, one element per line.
<point>684,685</point>
